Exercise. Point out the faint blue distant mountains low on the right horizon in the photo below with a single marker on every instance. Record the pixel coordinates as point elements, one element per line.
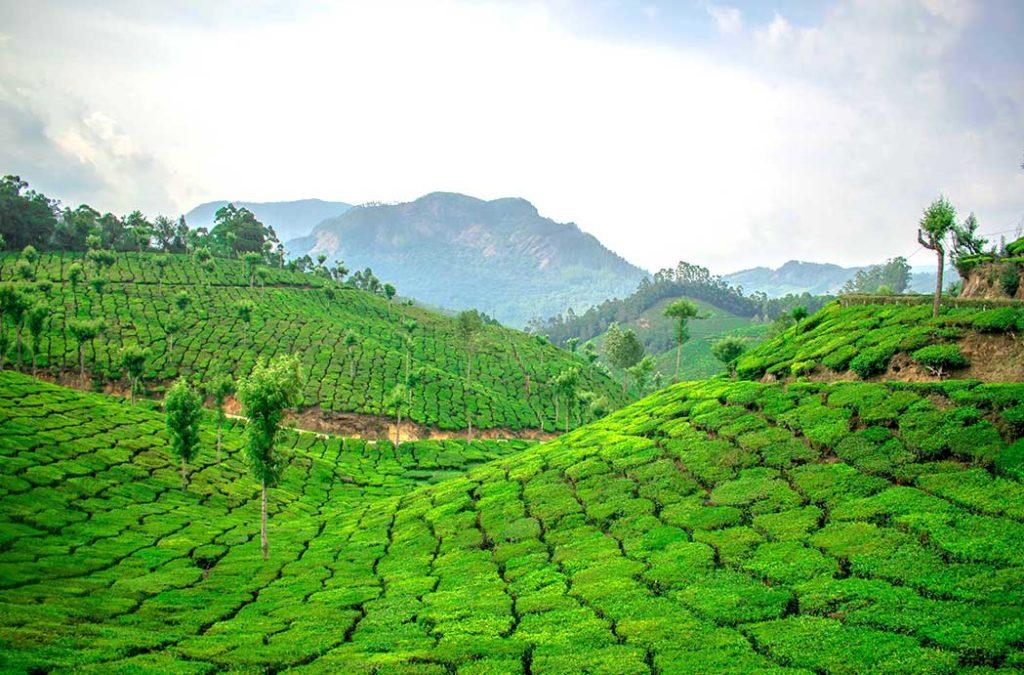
<point>819,279</point>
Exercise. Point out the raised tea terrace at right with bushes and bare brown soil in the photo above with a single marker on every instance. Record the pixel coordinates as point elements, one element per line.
<point>861,337</point>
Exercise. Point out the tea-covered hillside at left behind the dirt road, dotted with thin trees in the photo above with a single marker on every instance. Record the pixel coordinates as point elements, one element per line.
<point>301,314</point>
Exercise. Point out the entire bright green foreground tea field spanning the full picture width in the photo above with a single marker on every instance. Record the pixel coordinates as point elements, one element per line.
<point>713,527</point>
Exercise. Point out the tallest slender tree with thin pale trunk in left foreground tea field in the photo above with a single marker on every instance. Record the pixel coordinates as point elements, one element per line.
<point>273,388</point>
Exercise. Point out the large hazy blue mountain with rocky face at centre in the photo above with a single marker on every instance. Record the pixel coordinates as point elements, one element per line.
<point>455,251</point>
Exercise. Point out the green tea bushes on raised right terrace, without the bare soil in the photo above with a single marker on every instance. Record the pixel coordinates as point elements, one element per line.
<point>865,337</point>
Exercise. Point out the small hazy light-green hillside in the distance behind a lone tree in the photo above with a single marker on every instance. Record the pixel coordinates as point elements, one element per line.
<point>656,331</point>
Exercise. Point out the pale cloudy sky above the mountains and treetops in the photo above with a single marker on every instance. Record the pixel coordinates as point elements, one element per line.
<point>730,135</point>
